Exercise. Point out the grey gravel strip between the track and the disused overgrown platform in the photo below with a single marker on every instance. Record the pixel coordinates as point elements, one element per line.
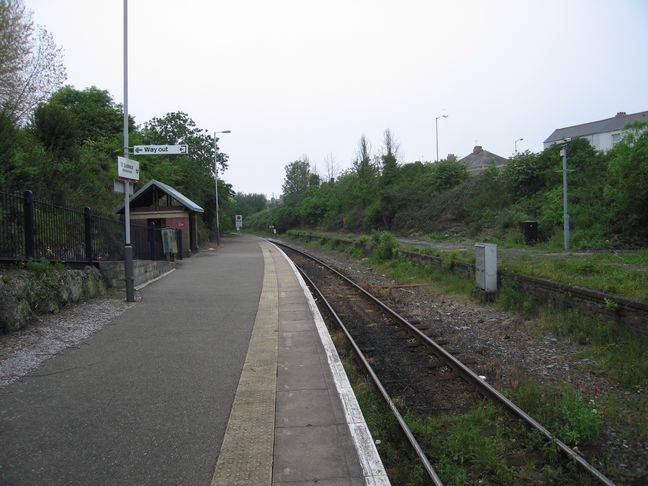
<point>507,350</point>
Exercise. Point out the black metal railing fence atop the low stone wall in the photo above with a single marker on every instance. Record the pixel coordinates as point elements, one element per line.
<point>32,229</point>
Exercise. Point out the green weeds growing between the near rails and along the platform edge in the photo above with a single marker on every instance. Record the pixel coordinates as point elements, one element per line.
<point>482,446</point>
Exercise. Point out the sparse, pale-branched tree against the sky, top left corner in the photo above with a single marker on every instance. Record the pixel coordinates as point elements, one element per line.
<point>31,65</point>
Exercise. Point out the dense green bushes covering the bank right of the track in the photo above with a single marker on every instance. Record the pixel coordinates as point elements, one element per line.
<point>608,195</point>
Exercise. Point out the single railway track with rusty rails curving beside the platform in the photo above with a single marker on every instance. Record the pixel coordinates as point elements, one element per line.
<point>414,374</point>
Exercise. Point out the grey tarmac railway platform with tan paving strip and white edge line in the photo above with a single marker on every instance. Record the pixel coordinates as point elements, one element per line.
<point>223,374</point>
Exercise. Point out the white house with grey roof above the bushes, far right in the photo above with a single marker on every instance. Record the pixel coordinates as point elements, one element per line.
<point>602,134</point>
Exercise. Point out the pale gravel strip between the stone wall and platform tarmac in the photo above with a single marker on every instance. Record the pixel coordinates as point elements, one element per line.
<point>23,351</point>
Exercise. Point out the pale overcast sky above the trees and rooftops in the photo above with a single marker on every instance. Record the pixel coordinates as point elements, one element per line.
<point>310,77</point>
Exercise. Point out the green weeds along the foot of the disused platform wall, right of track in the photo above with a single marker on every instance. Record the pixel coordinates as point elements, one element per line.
<point>566,408</point>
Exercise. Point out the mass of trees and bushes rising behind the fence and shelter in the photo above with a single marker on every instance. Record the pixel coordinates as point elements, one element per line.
<point>50,132</point>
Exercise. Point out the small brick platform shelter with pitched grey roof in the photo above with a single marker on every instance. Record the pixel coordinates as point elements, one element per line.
<point>162,206</point>
